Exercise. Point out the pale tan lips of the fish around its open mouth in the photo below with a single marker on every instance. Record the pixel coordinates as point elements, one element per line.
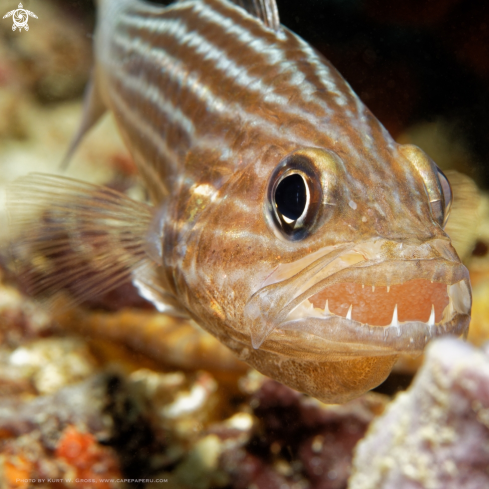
<point>269,319</point>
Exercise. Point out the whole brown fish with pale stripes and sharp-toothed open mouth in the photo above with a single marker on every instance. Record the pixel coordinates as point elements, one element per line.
<point>284,219</point>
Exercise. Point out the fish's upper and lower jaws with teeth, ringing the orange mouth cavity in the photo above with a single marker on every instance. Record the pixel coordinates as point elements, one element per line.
<point>280,311</point>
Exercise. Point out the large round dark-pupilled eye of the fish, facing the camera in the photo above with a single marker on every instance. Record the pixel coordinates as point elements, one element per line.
<point>294,194</point>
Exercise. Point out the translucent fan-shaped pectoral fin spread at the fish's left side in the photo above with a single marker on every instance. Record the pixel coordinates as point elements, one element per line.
<point>75,236</point>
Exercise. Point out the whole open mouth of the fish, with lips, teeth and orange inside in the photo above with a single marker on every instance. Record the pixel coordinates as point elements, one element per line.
<point>352,297</point>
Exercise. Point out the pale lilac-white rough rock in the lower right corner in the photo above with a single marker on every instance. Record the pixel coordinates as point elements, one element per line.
<point>435,435</point>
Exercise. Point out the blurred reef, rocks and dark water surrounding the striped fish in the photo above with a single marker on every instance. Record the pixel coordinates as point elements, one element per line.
<point>111,390</point>
